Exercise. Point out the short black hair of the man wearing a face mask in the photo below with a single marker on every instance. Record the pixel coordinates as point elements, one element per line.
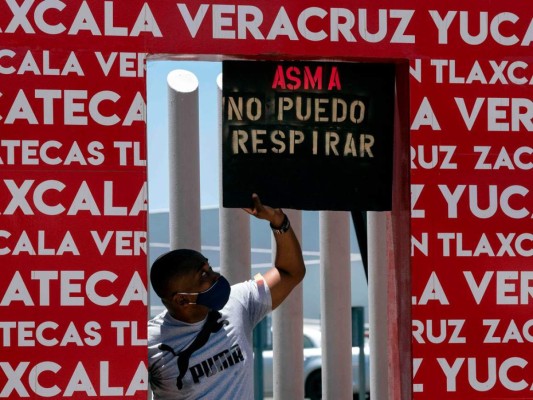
<point>171,265</point>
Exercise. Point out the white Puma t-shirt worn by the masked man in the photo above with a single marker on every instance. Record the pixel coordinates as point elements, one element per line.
<point>223,367</point>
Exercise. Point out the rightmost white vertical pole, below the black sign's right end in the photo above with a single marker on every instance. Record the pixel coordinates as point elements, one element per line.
<point>377,304</point>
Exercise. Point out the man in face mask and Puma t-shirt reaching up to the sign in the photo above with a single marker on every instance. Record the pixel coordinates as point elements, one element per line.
<point>201,346</point>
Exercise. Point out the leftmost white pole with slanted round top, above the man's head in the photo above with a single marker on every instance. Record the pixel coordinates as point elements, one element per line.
<point>184,160</point>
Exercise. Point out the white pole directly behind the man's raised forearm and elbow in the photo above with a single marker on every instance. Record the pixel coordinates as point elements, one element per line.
<point>287,322</point>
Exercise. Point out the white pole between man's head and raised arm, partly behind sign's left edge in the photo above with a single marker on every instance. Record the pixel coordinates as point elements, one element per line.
<point>234,225</point>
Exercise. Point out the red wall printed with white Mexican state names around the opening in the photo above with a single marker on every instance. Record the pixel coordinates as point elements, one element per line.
<point>73,196</point>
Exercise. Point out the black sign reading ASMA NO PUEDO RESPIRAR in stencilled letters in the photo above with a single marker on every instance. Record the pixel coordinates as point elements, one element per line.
<point>308,135</point>
